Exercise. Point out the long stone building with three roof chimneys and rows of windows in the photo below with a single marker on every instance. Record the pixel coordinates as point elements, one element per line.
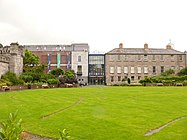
<point>138,63</point>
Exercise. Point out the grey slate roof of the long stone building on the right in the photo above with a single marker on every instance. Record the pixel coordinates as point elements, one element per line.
<point>143,51</point>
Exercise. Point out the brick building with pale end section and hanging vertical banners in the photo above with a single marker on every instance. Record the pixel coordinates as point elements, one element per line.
<point>74,56</point>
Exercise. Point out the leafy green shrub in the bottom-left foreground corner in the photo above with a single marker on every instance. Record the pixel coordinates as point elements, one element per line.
<point>11,128</point>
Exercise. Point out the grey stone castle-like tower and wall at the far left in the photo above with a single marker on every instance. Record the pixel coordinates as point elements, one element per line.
<point>11,58</point>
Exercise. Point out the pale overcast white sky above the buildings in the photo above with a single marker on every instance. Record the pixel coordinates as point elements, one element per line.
<point>103,24</point>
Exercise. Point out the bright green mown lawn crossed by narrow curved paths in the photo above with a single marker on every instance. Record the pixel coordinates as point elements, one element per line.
<point>105,113</point>
